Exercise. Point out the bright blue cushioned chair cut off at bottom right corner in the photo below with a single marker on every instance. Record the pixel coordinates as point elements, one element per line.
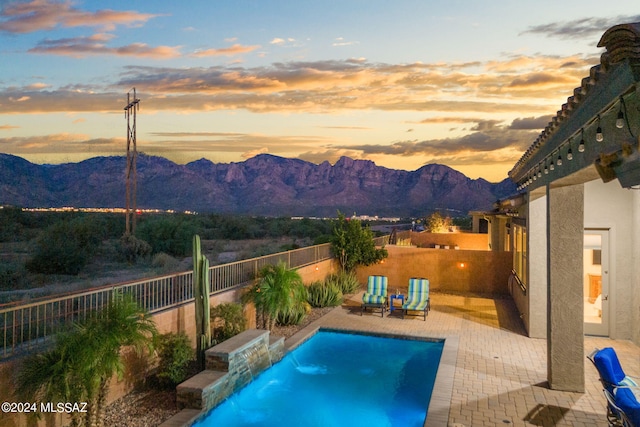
<point>623,408</point>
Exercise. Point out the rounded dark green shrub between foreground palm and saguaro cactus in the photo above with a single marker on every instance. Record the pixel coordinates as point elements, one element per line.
<point>175,355</point>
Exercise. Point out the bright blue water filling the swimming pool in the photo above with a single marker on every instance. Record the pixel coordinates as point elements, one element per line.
<point>338,379</point>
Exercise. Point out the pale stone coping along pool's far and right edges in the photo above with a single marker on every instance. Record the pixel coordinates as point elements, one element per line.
<point>440,403</point>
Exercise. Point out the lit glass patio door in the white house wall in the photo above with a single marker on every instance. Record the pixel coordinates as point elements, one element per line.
<point>596,282</point>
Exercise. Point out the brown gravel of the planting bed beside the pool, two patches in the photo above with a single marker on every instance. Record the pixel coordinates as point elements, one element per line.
<point>150,408</point>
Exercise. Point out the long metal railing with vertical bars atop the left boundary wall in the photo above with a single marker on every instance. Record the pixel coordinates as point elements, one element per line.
<point>27,327</point>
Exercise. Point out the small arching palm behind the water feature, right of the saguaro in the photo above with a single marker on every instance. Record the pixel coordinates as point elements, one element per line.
<point>279,294</point>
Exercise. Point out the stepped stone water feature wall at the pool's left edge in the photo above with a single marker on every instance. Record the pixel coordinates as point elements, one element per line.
<point>230,366</point>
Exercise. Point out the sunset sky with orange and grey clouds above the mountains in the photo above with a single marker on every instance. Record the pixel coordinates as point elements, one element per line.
<point>403,83</point>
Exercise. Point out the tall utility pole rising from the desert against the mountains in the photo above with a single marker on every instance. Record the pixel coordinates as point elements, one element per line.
<point>132,154</point>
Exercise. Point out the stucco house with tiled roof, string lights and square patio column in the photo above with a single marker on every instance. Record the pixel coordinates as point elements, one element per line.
<point>575,224</point>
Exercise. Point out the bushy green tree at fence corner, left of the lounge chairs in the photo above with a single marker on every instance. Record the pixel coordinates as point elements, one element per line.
<point>353,245</point>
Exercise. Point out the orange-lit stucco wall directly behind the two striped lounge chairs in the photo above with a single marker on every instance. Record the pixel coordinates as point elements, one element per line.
<point>447,270</point>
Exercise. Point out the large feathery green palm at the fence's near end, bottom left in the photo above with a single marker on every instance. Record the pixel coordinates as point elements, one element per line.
<point>83,361</point>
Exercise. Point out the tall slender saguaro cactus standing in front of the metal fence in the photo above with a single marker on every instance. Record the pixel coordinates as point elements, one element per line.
<point>201,291</point>
